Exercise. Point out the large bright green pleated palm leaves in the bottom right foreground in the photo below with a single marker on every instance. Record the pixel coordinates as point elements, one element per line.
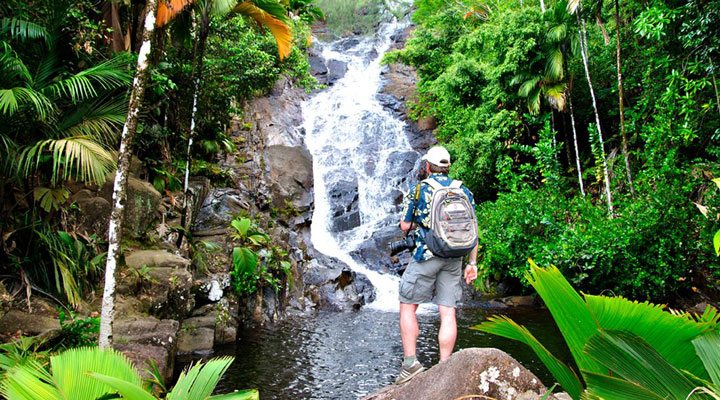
<point>623,349</point>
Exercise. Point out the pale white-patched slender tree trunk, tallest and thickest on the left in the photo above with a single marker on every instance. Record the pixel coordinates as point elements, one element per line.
<point>120,185</point>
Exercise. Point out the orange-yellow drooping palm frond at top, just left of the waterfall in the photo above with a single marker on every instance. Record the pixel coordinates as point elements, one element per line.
<point>271,15</point>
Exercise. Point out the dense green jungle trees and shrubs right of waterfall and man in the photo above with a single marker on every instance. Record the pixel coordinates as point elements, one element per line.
<point>589,133</point>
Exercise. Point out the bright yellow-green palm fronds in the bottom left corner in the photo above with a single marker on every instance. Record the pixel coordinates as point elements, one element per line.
<point>91,373</point>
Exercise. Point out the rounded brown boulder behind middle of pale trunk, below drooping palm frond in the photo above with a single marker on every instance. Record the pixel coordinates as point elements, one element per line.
<point>141,206</point>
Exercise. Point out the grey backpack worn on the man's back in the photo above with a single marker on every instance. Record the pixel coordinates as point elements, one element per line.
<point>453,226</point>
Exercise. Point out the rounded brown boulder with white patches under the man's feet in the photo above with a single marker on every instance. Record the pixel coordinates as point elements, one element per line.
<point>485,373</point>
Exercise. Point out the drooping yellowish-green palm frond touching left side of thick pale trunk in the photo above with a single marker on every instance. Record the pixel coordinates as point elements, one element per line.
<point>79,157</point>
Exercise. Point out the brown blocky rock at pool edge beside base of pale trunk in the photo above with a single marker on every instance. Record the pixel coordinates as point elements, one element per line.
<point>143,339</point>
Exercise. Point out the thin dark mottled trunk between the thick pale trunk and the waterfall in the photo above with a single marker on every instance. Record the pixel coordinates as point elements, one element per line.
<point>196,76</point>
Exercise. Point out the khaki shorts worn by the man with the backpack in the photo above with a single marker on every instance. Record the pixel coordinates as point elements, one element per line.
<point>435,280</point>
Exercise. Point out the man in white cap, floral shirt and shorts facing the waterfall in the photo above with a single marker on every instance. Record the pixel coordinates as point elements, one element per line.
<point>429,278</point>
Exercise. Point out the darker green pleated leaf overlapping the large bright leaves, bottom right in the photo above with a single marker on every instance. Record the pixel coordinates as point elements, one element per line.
<point>632,358</point>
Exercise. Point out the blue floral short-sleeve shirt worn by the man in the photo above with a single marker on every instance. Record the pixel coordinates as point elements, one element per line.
<point>418,211</point>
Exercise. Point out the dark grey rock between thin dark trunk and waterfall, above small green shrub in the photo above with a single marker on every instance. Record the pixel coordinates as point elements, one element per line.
<point>219,208</point>
